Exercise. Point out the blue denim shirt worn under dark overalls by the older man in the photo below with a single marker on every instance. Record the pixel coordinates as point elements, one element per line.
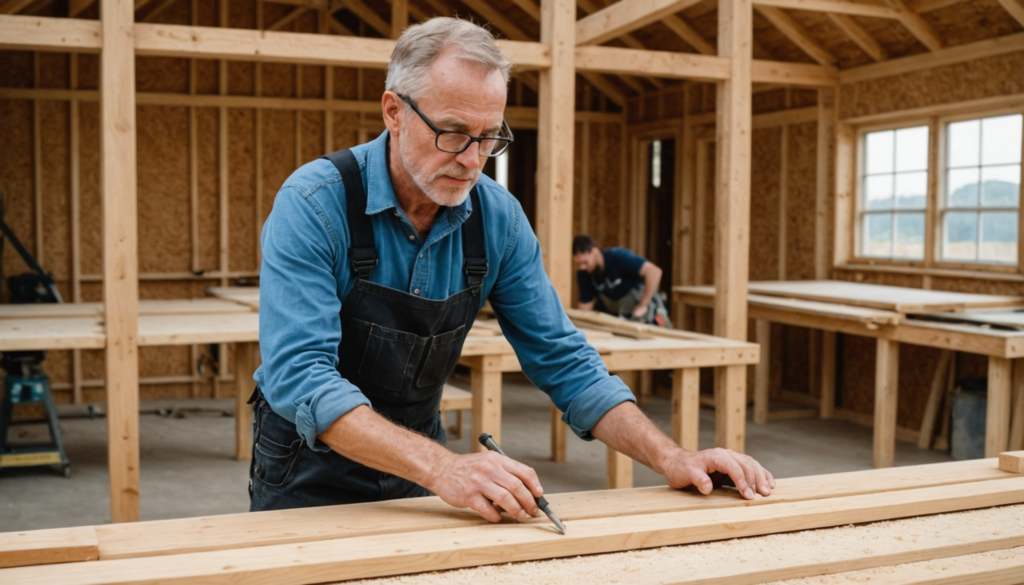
<point>307,275</point>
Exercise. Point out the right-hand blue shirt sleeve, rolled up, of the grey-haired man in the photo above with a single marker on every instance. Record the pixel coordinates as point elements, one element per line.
<point>554,355</point>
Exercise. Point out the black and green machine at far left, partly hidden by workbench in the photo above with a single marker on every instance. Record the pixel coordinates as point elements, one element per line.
<point>25,381</point>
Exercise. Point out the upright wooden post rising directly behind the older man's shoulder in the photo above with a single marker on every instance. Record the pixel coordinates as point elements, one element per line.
<point>556,145</point>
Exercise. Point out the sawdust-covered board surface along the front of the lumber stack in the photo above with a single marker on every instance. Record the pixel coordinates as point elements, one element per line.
<point>692,563</point>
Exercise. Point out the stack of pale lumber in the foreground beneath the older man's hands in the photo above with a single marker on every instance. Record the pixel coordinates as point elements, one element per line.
<point>362,541</point>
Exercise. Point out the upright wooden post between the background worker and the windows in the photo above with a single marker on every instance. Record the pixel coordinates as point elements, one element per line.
<point>733,215</point>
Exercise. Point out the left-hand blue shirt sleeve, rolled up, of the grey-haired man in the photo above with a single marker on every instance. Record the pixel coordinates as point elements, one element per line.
<point>301,325</point>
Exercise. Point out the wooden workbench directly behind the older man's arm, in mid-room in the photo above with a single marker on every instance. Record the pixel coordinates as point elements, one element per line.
<point>685,354</point>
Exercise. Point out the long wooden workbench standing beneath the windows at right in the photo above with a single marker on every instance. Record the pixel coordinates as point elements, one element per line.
<point>891,316</point>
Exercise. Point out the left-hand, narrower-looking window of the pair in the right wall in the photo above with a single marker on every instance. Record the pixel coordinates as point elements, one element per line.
<point>894,194</point>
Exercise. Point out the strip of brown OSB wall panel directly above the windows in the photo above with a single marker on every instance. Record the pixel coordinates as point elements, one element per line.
<point>1001,75</point>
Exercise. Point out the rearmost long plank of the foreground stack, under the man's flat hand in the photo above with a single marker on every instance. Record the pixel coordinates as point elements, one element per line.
<point>236,531</point>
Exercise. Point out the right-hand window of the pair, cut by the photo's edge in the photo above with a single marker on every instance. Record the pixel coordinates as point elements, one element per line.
<point>982,191</point>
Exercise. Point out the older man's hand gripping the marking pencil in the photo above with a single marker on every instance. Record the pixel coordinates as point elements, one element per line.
<point>485,481</point>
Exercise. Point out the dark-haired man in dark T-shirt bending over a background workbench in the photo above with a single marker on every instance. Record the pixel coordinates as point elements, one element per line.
<point>618,282</point>
